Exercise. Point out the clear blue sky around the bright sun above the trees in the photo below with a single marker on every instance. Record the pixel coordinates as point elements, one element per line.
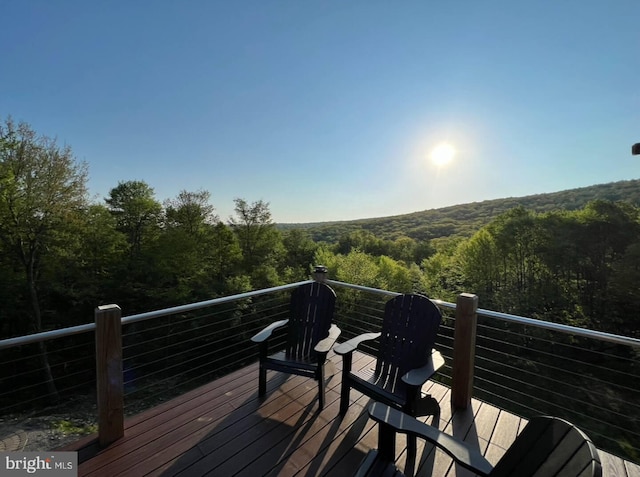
<point>328,110</point>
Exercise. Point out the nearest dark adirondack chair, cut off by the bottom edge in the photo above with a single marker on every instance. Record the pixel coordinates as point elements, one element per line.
<point>547,446</point>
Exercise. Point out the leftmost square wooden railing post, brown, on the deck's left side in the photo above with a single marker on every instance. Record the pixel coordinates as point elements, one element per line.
<point>109,376</point>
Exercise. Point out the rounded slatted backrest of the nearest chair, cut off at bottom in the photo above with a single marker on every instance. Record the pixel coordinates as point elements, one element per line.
<point>549,446</point>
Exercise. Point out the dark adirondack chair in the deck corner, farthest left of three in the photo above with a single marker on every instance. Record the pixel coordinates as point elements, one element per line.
<point>310,336</point>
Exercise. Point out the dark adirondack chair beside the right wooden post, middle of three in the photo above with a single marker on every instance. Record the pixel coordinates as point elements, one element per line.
<point>405,357</point>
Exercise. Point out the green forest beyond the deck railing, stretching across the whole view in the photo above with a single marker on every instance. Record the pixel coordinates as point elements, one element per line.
<point>571,257</point>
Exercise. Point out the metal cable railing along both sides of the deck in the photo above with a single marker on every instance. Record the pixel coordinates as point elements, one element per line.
<point>522,365</point>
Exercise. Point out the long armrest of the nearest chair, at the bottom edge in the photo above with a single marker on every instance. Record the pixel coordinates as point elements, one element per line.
<point>457,449</point>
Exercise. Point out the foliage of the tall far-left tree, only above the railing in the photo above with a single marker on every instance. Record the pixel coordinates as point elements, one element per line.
<point>42,197</point>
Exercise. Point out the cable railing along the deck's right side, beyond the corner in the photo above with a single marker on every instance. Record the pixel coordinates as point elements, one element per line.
<point>532,367</point>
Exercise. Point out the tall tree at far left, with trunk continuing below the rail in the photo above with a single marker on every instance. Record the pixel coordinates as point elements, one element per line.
<point>42,187</point>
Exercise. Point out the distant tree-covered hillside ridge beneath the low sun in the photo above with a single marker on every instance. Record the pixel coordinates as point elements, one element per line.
<point>465,219</point>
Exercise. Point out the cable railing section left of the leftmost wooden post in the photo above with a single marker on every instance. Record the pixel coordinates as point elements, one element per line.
<point>47,386</point>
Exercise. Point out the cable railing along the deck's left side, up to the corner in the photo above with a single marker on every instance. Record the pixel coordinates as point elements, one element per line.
<point>49,379</point>
